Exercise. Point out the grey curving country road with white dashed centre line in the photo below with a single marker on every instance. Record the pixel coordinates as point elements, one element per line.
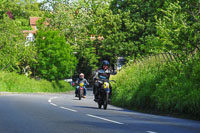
<point>64,113</point>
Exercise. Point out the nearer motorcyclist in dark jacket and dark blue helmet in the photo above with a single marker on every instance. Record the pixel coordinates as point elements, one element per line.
<point>101,73</point>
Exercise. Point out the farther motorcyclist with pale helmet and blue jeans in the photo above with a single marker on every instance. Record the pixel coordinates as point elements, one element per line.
<point>79,80</point>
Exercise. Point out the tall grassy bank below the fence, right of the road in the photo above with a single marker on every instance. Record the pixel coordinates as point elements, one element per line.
<point>162,87</point>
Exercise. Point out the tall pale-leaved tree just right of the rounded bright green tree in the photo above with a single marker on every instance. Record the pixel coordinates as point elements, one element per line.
<point>74,21</point>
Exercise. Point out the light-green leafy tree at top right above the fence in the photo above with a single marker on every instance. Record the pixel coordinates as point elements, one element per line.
<point>178,29</point>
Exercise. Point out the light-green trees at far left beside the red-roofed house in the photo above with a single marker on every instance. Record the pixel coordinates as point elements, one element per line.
<point>14,54</point>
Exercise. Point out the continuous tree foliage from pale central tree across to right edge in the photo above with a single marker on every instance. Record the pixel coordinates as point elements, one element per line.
<point>130,28</point>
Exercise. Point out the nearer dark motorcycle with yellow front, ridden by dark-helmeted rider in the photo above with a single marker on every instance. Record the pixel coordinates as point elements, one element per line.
<point>103,97</point>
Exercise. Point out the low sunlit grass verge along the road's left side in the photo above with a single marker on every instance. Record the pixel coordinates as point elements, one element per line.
<point>12,82</point>
